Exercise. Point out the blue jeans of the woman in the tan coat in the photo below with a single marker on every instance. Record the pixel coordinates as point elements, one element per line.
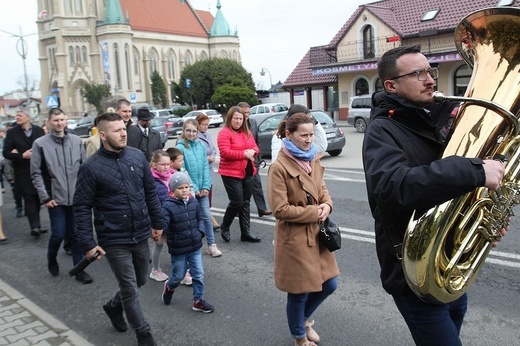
<point>301,306</point>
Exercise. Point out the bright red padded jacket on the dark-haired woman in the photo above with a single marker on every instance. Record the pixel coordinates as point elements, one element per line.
<point>231,146</point>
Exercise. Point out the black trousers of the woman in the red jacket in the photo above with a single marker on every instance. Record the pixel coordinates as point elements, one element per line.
<point>239,194</point>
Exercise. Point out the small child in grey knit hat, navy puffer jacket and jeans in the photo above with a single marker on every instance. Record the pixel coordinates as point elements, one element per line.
<point>184,232</point>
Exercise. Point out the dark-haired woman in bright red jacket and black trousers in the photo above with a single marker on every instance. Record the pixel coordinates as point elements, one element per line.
<point>237,149</point>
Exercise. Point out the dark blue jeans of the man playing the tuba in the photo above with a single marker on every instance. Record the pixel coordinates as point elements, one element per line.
<point>432,324</point>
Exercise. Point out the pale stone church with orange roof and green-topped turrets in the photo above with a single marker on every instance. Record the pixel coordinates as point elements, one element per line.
<point>121,42</point>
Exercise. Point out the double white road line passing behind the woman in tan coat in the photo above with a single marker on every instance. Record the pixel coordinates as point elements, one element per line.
<point>369,237</point>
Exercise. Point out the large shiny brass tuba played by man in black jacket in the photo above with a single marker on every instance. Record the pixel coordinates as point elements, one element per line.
<point>444,249</point>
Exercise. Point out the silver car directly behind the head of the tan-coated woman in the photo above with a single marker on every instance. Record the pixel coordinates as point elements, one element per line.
<point>267,125</point>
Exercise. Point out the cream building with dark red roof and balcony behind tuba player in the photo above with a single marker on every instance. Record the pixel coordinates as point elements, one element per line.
<point>347,65</point>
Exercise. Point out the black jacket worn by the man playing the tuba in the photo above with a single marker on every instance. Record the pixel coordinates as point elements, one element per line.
<point>402,148</point>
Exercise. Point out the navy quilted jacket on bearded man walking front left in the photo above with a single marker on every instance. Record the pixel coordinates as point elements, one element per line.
<point>119,187</point>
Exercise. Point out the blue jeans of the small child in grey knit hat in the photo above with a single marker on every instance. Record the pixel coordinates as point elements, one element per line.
<point>179,268</point>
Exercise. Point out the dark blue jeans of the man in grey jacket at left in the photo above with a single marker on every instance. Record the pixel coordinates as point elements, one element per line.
<point>62,223</point>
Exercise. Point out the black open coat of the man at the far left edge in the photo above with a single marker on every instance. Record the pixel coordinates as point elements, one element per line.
<point>15,138</point>
